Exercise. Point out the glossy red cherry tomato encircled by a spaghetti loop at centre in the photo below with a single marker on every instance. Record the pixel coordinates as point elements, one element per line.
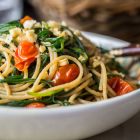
<point>66,74</point>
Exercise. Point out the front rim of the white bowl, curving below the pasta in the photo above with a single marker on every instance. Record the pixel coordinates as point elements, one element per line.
<point>71,107</point>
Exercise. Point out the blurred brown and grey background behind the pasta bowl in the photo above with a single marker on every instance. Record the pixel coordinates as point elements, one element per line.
<point>118,18</point>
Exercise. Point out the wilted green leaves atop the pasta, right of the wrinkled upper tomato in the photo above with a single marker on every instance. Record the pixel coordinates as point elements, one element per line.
<point>72,44</point>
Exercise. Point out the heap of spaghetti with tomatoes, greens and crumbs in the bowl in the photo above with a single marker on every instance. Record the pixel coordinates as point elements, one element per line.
<point>54,65</point>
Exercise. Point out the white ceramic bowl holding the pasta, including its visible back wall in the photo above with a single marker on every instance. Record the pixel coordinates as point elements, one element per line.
<point>73,122</point>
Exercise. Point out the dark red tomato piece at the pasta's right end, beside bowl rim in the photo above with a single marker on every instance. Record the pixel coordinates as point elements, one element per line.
<point>120,86</point>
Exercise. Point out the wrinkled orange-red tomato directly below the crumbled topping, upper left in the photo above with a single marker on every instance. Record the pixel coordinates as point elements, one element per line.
<point>25,54</point>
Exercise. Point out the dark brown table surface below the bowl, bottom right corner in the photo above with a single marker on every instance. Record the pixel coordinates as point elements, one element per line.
<point>130,130</point>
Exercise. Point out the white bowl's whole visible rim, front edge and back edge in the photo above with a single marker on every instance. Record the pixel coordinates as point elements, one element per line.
<point>71,108</point>
